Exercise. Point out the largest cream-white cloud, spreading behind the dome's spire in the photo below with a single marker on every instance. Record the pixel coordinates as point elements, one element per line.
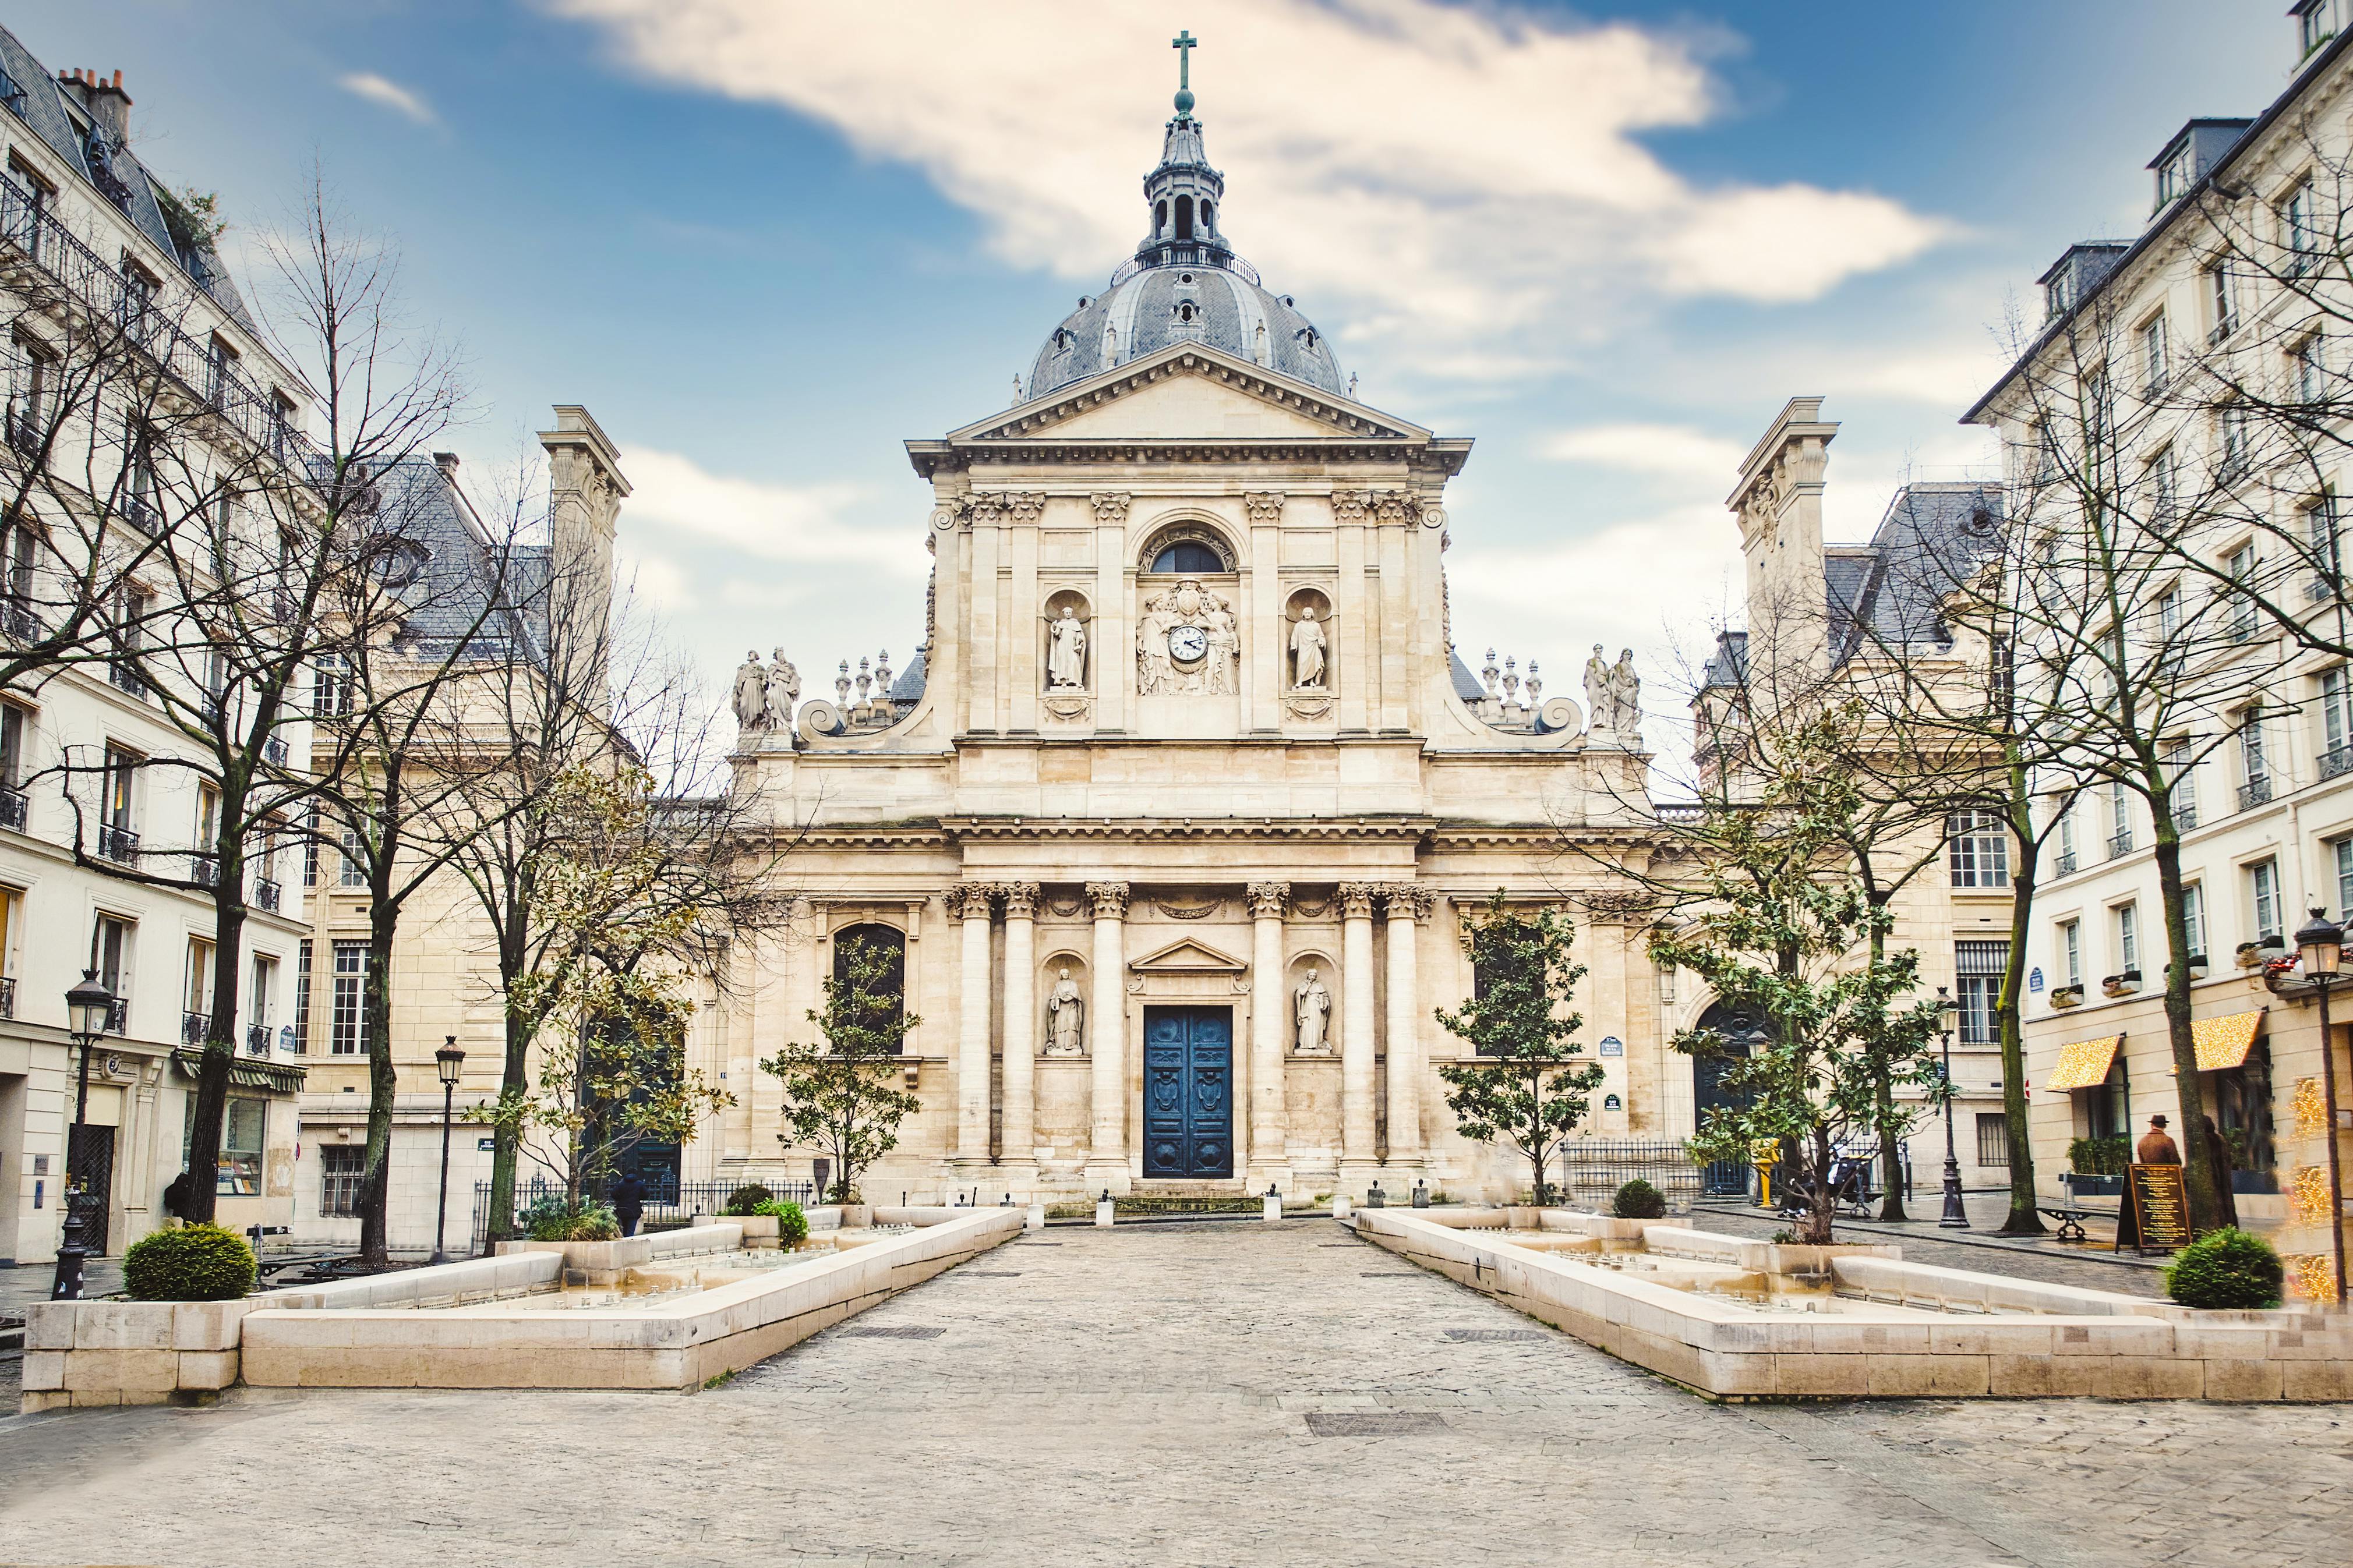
<point>1467,187</point>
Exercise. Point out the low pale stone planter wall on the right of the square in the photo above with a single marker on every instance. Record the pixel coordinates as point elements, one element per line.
<point>2060,1341</point>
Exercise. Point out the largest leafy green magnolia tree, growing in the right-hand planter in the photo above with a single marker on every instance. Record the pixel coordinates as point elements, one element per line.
<point>1787,934</point>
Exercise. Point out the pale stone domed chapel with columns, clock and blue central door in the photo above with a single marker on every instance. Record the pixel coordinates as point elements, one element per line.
<point>1182,808</point>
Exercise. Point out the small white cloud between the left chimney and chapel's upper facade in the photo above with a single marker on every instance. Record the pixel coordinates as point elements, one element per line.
<point>780,523</point>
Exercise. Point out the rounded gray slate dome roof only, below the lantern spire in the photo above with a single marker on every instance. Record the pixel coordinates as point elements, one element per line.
<point>1185,304</point>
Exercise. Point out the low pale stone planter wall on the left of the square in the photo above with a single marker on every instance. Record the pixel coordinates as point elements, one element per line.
<point>373,1334</point>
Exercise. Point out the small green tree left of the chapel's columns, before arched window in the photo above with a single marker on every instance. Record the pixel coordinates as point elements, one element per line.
<point>844,1097</point>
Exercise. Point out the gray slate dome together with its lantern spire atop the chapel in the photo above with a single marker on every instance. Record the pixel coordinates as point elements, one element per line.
<point>1185,286</point>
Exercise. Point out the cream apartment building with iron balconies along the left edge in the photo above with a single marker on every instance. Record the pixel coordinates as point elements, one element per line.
<point>95,243</point>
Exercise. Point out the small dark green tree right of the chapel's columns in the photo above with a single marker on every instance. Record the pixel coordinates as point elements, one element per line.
<point>1526,1085</point>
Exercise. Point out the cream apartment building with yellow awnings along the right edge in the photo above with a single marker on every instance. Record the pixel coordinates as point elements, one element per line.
<point>2185,384</point>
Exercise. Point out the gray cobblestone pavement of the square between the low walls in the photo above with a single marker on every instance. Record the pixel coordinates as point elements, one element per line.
<point>1182,1398</point>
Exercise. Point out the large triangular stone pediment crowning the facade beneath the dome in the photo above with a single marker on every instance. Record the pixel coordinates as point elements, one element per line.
<point>1192,391</point>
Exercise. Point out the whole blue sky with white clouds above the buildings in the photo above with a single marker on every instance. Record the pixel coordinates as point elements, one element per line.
<point>768,241</point>
